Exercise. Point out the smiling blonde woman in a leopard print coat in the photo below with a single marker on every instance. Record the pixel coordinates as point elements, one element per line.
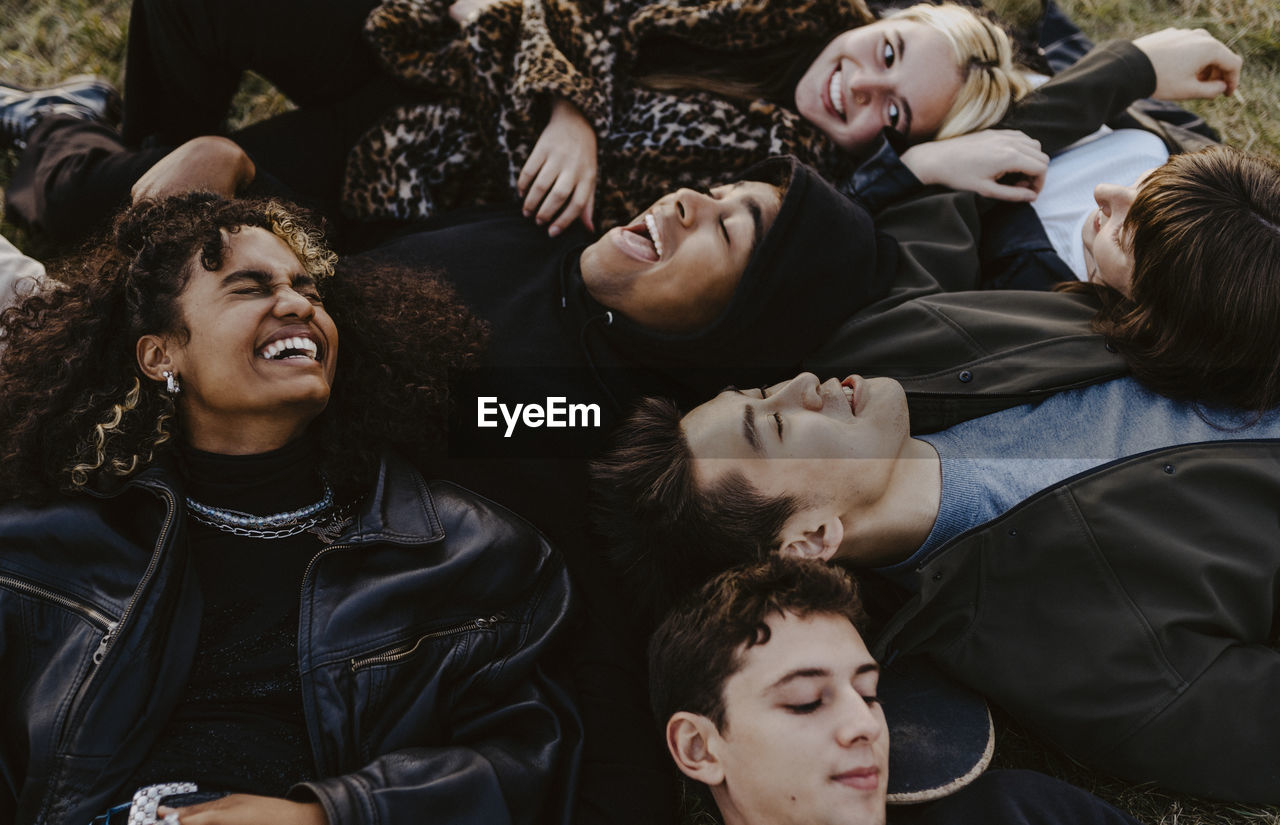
<point>593,111</point>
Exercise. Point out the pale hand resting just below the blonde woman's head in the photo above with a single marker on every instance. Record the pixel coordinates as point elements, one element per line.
<point>1002,164</point>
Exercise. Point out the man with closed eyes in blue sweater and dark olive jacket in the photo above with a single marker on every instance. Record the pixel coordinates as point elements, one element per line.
<point>1098,560</point>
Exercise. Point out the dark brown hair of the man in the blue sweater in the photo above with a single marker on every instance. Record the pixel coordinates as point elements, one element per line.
<point>666,534</point>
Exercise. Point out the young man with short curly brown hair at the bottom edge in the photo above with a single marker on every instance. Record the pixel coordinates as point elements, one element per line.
<point>770,699</point>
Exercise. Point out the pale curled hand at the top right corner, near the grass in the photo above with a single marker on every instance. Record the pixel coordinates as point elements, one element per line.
<point>1191,63</point>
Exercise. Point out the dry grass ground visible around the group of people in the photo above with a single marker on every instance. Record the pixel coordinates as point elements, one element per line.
<point>43,42</point>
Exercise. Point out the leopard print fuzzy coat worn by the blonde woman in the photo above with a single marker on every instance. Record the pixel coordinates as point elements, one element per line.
<point>491,85</point>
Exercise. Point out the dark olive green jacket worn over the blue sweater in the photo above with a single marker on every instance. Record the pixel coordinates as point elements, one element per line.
<point>1130,613</point>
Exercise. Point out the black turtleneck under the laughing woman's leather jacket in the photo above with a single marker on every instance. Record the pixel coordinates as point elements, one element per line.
<point>240,725</point>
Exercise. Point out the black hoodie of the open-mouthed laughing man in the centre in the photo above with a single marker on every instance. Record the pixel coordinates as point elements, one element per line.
<point>817,265</point>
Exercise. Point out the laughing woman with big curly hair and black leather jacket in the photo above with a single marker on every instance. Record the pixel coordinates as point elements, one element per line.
<point>218,574</point>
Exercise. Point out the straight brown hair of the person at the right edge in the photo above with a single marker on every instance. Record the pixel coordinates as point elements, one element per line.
<point>1200,323</point>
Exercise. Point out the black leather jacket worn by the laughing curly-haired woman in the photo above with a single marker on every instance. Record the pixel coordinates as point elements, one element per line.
<point>419,647</point>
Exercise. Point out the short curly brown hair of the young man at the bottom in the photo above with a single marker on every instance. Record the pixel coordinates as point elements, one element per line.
<point>701,644</point>
